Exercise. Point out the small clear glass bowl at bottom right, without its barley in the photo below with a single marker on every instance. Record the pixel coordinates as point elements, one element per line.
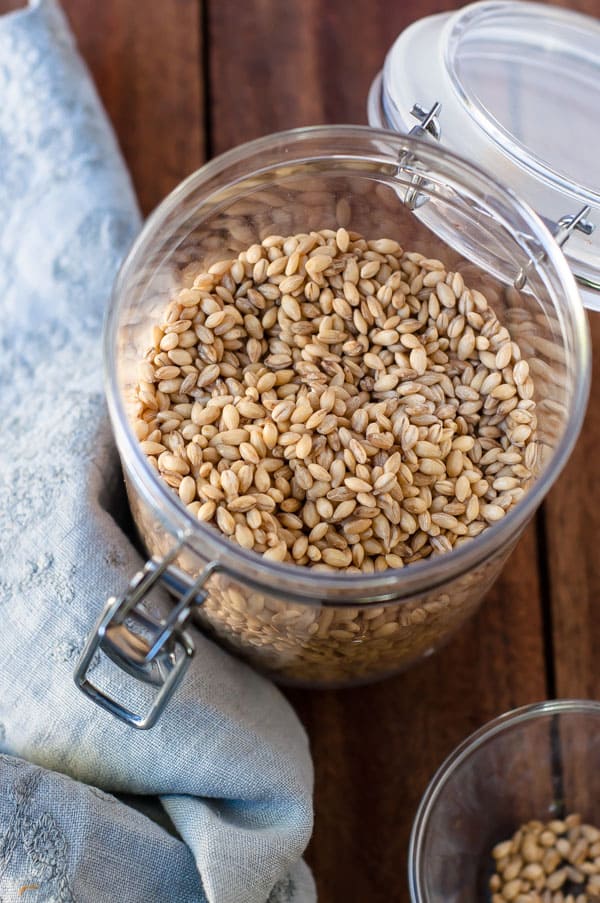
<point>541,762</point>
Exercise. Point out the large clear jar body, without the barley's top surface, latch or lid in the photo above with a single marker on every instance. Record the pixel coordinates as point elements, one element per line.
<point>300,625</point>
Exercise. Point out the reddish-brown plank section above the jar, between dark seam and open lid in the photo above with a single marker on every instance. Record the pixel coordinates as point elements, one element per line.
<point>276,65</point>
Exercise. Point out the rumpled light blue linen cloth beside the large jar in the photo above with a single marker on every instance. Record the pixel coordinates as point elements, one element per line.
<point>229,758</point>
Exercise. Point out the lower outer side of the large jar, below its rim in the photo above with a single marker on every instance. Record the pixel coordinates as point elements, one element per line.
<point>321,643</point>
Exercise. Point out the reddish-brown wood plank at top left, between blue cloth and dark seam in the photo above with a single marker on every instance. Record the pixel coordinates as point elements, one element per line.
<point>146,61</point>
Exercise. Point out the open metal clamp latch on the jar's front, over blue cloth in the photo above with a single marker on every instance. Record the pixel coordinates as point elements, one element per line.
<point>155,651</point>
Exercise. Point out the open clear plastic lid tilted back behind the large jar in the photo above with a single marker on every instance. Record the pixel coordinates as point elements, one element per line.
<point>519,89</point>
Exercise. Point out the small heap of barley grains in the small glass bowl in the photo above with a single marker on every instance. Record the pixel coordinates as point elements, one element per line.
<point>557,862</point>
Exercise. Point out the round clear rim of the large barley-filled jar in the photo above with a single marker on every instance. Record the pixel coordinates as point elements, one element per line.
<point>305,584</point>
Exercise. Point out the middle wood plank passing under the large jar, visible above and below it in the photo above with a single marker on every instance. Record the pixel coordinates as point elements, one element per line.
<point>375,748</point>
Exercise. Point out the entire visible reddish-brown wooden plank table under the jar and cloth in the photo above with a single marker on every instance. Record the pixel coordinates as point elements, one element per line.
<point>183,80</point>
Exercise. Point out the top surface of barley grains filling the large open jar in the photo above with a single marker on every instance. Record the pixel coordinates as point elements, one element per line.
<point>337,403</point>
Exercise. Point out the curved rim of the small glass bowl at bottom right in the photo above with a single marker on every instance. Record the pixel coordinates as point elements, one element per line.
<point>489,730</point>
